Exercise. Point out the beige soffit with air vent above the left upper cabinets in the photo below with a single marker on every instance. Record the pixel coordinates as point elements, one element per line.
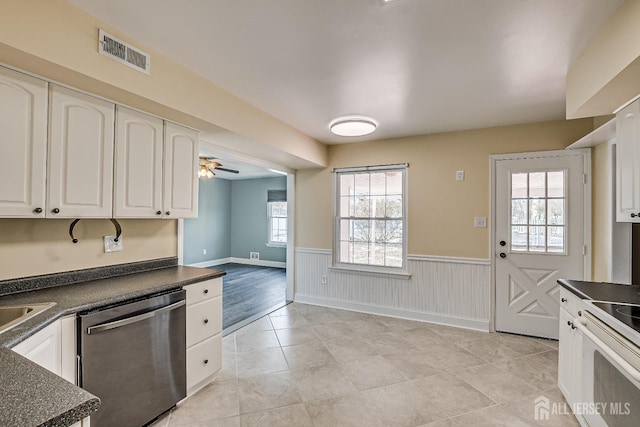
<point>58,41</point>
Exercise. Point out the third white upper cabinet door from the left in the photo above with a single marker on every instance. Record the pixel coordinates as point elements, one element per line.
<point>138,165</point>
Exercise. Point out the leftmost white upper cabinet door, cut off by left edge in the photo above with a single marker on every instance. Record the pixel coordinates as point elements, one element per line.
<point>23,126</point>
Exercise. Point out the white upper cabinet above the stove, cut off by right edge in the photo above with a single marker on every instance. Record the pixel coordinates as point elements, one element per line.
<point>628,163</point>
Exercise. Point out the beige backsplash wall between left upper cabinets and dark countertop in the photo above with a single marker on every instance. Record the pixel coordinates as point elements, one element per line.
<point>39,246</point>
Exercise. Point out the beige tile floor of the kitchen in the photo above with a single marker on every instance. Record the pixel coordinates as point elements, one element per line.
<point>305,365</point>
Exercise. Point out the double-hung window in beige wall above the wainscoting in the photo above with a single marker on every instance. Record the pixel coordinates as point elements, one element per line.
<point>370,218</point>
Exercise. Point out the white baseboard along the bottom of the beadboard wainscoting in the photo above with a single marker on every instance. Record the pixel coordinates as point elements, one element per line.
<point>460,322</point>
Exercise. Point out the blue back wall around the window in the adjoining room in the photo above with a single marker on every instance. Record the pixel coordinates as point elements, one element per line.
<point>249,228</point>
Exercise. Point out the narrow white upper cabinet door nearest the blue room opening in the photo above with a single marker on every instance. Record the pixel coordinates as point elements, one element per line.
<point>180,172</point>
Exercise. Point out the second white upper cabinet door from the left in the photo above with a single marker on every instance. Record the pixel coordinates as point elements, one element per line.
<point>80,155</point>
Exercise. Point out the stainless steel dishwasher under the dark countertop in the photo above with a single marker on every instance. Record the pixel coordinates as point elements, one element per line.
<point>132,356</point>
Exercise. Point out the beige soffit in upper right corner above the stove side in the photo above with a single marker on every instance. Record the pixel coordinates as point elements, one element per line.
<point>607,74</point>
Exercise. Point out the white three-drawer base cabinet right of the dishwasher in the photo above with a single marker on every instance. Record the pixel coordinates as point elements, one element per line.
<point>204,333</point>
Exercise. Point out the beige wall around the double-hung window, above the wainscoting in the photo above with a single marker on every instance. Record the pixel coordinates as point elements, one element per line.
<point>441,209</point>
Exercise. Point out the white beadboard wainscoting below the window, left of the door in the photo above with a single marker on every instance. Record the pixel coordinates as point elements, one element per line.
<point>450,291</point>
